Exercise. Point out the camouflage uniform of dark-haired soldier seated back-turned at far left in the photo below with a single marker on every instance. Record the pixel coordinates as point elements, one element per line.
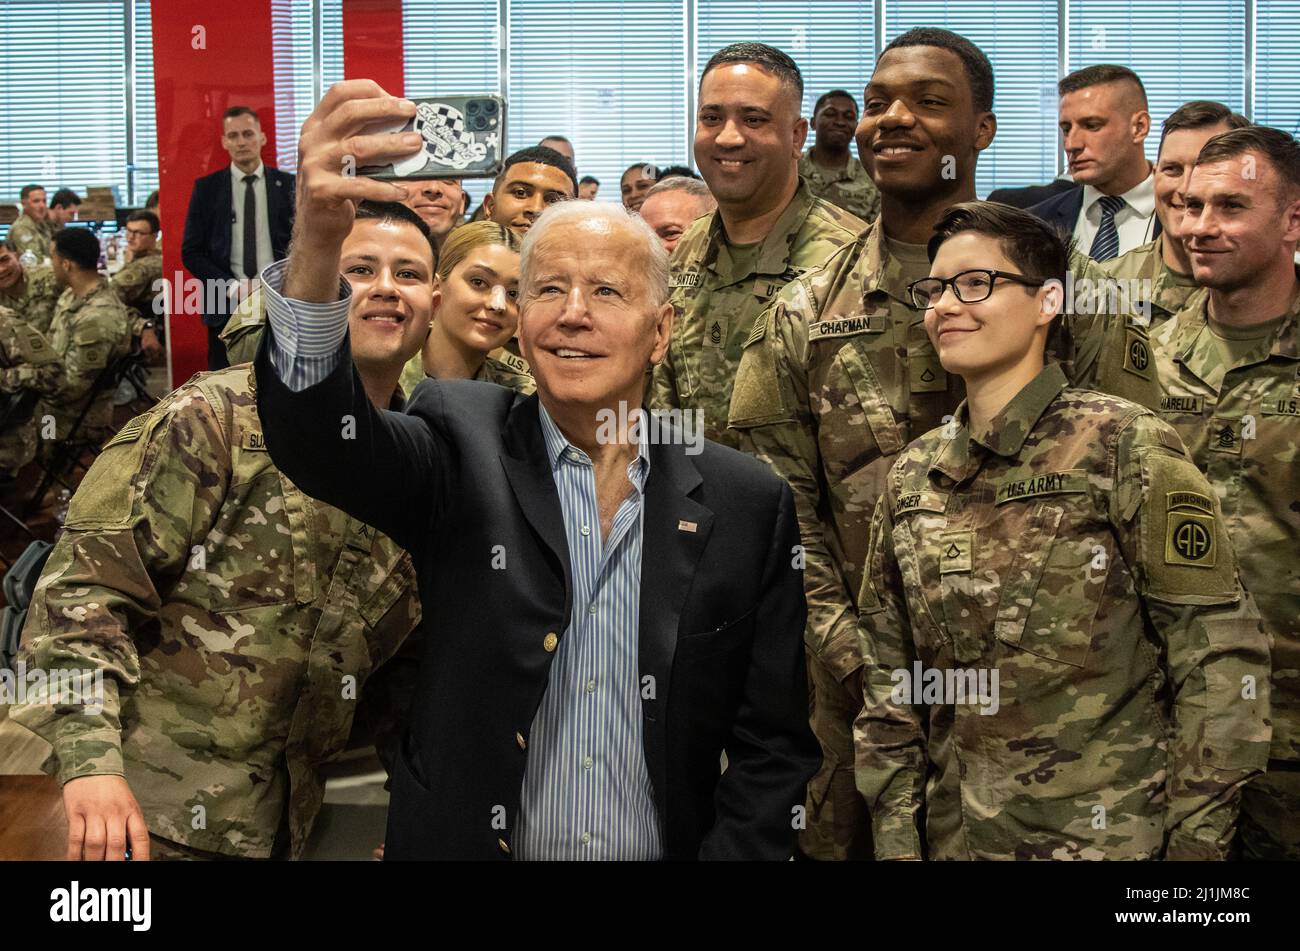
<point>88,336</point>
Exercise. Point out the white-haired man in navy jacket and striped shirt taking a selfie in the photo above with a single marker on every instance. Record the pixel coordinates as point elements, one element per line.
<point>612,605</point>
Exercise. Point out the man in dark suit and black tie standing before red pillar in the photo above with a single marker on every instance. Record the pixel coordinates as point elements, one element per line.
<point>240,222</point>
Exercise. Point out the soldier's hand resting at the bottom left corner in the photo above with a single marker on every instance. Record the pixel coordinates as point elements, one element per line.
<point>103,817</point>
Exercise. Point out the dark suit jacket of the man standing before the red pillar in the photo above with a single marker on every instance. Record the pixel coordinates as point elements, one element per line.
<point>206,247</point>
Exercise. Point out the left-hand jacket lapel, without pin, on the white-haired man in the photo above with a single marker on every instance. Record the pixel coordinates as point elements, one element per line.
<point>530,472</point>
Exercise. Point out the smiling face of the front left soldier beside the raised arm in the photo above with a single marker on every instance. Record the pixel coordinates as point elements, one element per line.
<point>389,266</point>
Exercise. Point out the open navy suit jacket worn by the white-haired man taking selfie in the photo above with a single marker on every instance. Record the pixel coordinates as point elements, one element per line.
<point>465,474</point>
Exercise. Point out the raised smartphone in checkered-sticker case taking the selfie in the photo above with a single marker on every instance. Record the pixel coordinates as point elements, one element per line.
<point>465,137</point>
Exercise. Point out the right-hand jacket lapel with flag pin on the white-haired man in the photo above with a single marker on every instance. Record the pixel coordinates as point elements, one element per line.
<point>677,532</point>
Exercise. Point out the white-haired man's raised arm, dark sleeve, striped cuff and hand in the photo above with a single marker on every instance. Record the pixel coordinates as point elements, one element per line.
<point>322,429</point>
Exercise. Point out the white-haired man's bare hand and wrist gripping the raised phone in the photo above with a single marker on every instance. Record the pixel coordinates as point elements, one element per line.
<point>333,145</point>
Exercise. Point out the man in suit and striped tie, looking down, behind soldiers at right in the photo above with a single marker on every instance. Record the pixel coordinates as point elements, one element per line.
<point>1104,124</point>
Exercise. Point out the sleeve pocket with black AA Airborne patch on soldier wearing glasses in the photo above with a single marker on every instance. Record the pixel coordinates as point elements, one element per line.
<point>1184,548</point>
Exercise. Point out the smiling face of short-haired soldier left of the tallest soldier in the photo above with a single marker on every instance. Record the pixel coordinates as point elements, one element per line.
<point>748,136</point>
